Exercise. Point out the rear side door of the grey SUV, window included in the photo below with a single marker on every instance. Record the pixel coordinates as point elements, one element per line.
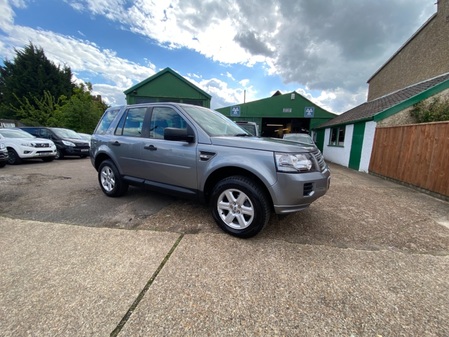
<point>127,141</point>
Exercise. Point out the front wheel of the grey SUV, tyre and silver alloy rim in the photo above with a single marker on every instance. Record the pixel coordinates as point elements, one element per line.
<point>240,207</point>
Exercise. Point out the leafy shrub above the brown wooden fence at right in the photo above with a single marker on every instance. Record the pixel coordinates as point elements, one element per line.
<point>434,110</point>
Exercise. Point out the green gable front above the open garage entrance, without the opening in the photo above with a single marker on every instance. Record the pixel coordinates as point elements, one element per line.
<point>278,106</point>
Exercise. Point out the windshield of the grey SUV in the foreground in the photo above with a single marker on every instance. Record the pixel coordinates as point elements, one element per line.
<point>214,123</point>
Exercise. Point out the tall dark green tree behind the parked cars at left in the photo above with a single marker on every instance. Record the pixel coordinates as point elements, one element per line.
<point>29,78</point>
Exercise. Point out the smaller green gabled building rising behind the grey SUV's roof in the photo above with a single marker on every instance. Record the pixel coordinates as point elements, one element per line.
<point>167,86</point>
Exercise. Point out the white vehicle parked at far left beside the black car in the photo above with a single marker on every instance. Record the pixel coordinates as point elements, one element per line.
<point>22,145</point>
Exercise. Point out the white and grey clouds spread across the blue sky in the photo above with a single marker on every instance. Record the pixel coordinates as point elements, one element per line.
<point>328,49</point>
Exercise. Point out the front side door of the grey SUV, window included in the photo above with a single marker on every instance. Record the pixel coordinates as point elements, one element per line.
<point>168,163</point>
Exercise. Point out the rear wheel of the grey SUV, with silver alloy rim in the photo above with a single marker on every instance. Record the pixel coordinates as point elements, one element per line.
<point>110,181</point>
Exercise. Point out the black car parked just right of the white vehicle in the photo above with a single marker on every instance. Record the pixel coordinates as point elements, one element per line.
<point>68,142</point>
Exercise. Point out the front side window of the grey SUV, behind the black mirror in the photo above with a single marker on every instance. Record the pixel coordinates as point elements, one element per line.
<point>163,117</point>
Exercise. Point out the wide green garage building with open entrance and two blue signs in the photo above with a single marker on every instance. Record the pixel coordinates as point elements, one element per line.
<point>279,114</point>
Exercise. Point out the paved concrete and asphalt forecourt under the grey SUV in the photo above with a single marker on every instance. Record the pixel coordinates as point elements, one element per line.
<point>371,258</point>
